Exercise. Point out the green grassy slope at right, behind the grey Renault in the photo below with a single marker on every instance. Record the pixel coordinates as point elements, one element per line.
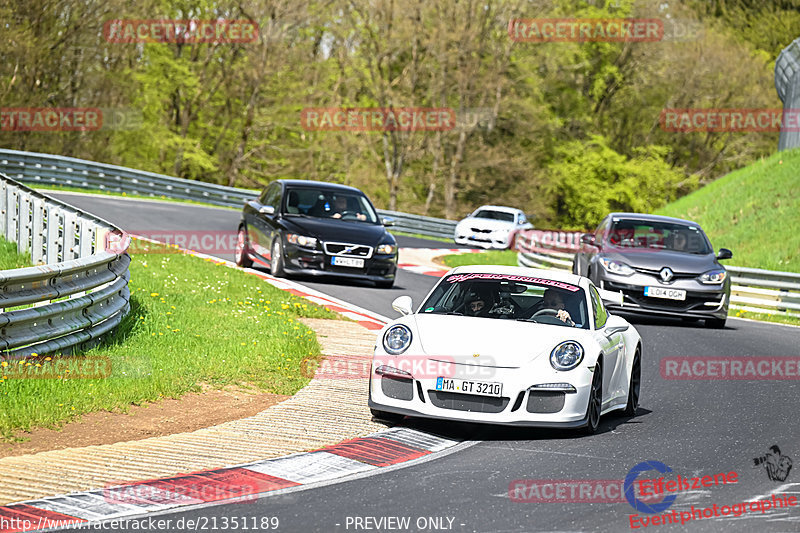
<point>754,211</point>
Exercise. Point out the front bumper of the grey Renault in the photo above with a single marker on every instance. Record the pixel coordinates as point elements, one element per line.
<point>702,301</point>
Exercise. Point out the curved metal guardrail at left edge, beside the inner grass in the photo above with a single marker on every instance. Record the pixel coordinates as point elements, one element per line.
<point>78,293</point>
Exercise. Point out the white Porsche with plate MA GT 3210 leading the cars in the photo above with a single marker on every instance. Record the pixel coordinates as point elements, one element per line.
<point>507,345</point>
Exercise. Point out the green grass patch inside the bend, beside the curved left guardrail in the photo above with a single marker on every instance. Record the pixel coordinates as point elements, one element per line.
<point>192,322</point>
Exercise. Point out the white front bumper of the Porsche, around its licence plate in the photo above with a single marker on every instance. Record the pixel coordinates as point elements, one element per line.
<point>518,405</point>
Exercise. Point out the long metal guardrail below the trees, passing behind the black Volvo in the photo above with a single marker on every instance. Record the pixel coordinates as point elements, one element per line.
<point>46,169</point>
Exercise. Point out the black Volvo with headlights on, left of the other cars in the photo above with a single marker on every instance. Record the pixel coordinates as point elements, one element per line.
<point>316,228</point>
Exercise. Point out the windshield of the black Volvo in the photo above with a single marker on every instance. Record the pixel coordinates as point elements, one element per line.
<point>328,203</point>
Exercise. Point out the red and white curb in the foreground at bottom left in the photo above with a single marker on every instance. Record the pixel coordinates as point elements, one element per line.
<point>237,484</point>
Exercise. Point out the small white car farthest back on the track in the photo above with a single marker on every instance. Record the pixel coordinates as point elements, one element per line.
<point>491,226</point>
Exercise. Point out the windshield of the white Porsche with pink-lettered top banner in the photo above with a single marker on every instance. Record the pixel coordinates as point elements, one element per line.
<point>507,296</point>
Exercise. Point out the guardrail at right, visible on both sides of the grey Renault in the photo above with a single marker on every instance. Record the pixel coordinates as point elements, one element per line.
<point>752,289</point>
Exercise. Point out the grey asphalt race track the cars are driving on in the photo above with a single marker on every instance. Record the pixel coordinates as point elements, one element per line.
<point>696,427</point>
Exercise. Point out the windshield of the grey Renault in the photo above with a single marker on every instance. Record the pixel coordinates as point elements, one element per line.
<point>658,235</point>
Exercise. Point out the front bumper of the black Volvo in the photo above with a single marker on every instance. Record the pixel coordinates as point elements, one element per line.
<point>302,261</point>
